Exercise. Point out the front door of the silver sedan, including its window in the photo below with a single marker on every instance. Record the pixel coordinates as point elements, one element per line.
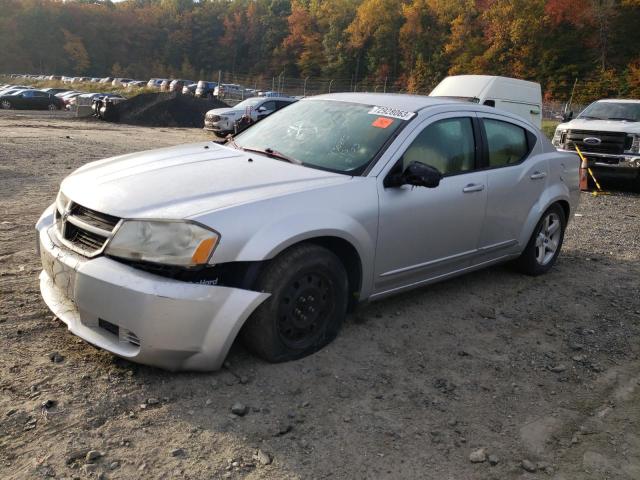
<point>426,233</point>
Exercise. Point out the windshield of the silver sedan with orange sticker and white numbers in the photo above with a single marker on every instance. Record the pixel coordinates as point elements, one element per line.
<point>327,134</point>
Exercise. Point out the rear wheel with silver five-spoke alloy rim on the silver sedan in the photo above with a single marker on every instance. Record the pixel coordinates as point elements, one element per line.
<point>545,243</point>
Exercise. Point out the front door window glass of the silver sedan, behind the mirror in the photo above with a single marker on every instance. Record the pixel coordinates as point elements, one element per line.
<point>447,145</point>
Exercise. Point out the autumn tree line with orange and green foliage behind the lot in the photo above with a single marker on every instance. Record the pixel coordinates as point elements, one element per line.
<point>408,44</point>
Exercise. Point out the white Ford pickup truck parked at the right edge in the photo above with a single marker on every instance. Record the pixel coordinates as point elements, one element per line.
<point>607,132</point>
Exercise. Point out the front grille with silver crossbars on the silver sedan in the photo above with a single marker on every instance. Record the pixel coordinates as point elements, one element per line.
<point>84,230</point>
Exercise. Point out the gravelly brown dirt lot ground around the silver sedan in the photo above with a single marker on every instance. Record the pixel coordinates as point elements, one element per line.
<point>542,370</point>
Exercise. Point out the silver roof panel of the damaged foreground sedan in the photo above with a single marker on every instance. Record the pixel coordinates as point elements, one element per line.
<point>400,101</point>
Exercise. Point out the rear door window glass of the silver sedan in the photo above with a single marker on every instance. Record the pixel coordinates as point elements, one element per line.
<point>507,143</point>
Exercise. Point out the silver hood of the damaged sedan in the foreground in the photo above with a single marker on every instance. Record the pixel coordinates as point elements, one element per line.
<point>186,181</point>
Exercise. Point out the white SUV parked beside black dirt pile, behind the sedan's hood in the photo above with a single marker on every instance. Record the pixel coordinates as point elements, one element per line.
<point>223,121</point>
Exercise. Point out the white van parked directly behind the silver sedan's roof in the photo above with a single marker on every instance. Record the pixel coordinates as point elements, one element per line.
<point>513,95</point>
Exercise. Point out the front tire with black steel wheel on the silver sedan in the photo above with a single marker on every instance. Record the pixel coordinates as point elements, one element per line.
<point>307,306</point>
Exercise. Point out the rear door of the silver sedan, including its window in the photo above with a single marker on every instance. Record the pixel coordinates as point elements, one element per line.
<point>516,179</point>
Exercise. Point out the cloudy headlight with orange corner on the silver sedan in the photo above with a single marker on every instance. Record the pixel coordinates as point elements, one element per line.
<point>166,242</point>
